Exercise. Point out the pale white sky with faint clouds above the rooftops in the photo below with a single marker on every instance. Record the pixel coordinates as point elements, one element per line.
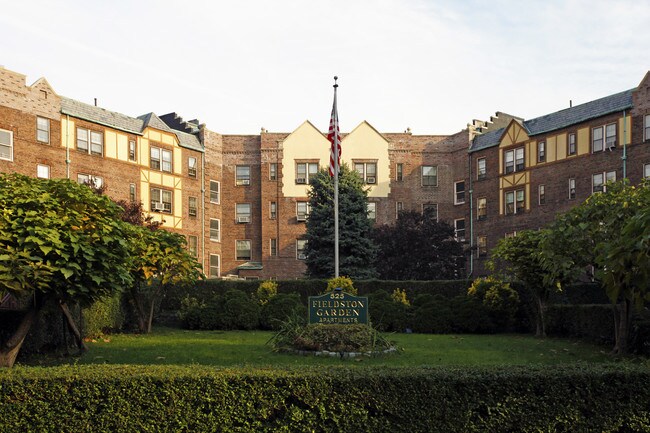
<point>240,65</point>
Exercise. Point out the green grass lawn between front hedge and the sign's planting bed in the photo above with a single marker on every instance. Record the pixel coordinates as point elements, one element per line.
<point>240,348</point>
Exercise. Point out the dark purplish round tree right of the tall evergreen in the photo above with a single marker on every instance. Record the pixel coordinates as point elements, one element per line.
<point>418,247</point>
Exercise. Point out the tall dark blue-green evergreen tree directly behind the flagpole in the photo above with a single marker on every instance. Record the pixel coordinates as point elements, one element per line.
<point>356,249</point>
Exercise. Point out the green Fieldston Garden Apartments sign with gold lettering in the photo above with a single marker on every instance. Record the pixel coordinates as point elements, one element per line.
<point>338,308</point>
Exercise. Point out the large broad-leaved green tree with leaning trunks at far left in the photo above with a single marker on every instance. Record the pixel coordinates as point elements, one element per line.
<point>59,242</point>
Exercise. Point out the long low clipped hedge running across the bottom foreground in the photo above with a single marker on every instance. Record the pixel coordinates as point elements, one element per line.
<point>603,398</point>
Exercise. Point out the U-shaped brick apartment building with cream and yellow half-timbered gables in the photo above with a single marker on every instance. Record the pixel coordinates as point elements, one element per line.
<point>241,200</point>
